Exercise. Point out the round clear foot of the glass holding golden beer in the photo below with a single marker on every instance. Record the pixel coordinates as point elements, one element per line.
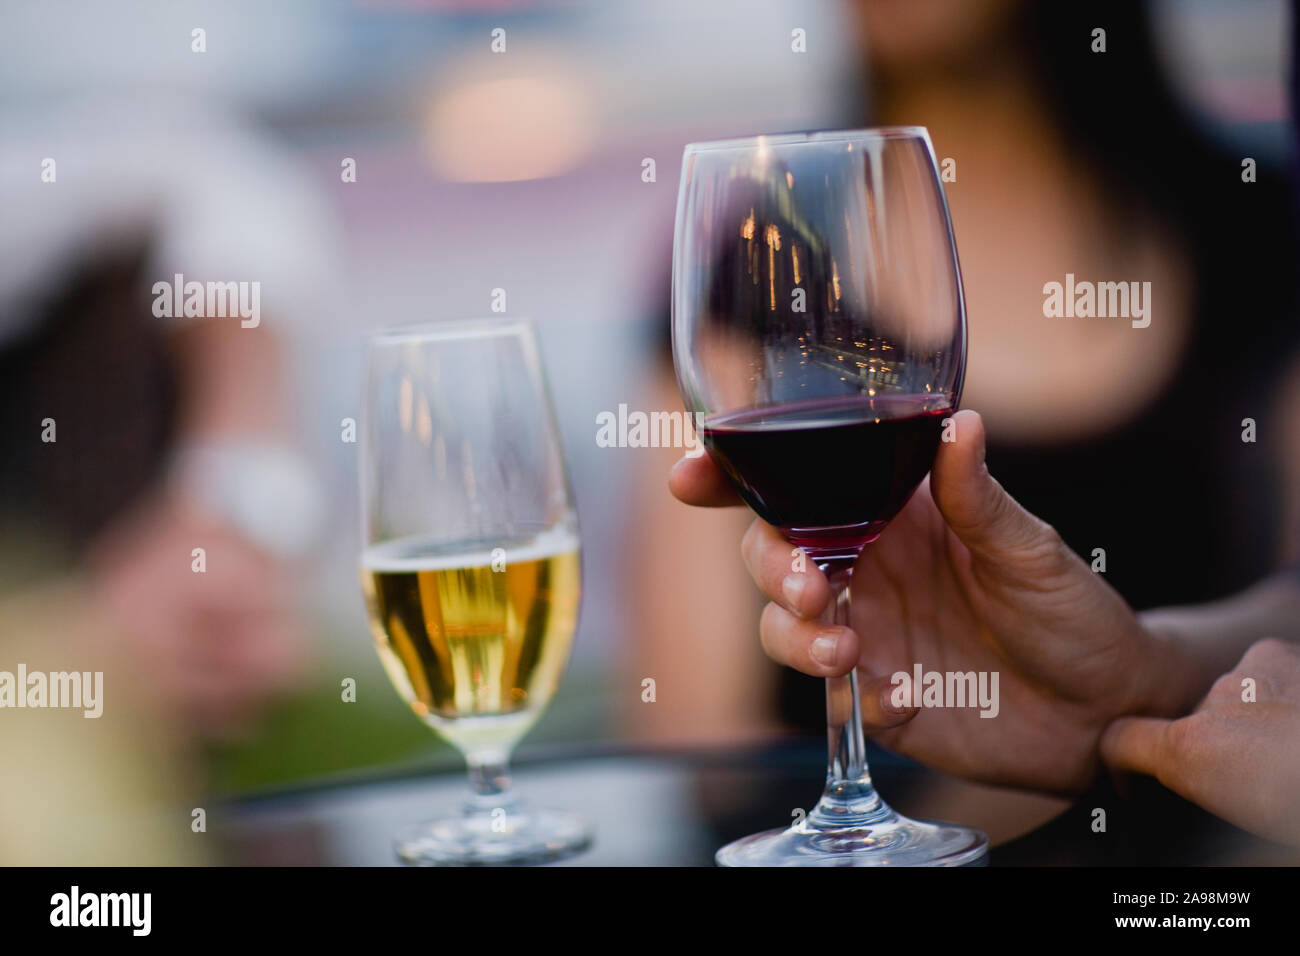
<point>518,836</point>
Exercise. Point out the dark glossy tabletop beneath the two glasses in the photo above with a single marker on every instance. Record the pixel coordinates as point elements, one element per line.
<point>661,808</point>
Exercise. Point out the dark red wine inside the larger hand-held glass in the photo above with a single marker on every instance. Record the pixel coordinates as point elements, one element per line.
<point>830,474</point>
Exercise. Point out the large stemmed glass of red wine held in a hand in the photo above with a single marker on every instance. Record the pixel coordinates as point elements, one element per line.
<point>820,330</point>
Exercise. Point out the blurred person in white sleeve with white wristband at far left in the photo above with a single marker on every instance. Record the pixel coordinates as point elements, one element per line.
<point>170,434</point>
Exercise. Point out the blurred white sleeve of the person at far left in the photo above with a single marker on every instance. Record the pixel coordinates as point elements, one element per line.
<point>216,200</point>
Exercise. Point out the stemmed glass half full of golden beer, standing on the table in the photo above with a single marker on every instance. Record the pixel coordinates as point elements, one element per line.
<point>471,566</point>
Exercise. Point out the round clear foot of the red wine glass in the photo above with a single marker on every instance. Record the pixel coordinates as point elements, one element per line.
<point>891,841</point>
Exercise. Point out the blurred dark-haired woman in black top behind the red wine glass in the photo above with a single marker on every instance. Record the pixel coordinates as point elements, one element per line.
<point>1129,440</point>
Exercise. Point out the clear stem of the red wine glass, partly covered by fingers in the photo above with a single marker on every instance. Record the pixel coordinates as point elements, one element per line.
<point>850,799</point>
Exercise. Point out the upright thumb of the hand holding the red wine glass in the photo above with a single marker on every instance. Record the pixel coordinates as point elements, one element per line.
<point>989,521</point>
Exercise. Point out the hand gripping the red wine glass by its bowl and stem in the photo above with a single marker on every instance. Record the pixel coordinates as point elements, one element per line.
<point>965,579</point>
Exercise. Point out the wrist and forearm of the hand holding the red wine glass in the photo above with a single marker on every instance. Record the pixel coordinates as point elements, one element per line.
<point>1197,644</point>
